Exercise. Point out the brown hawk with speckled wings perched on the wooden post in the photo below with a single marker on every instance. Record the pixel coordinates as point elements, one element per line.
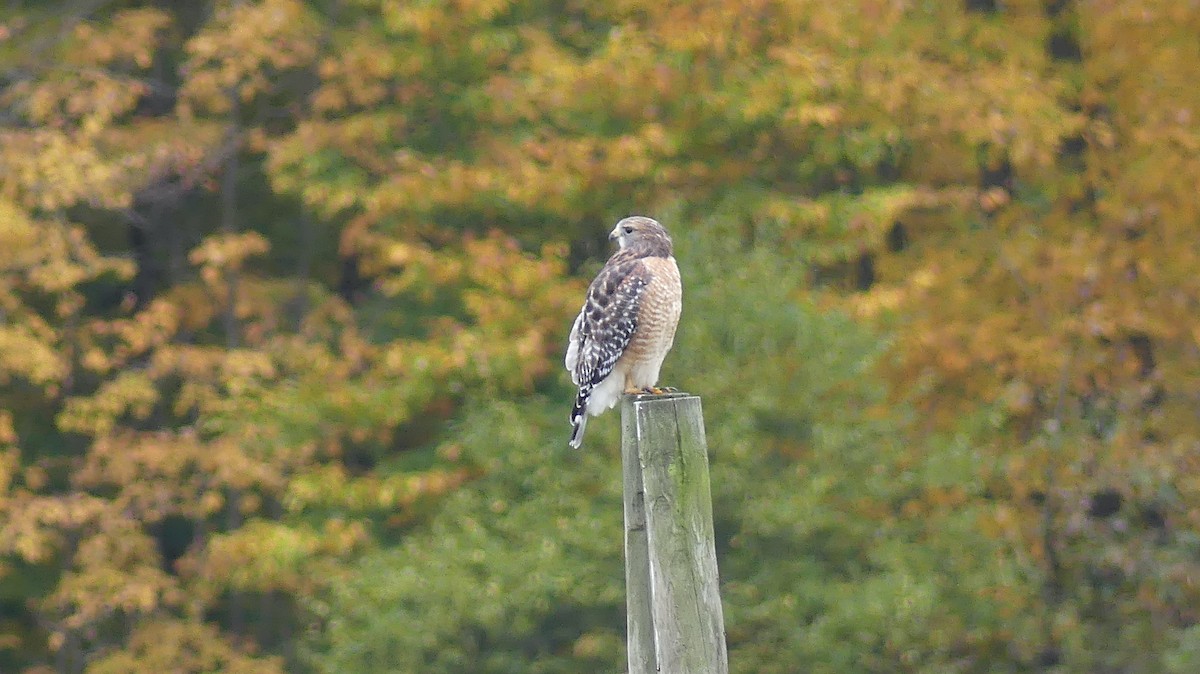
<point>627,324</point>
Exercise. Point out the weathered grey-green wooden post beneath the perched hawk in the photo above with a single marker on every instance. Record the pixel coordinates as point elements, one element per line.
<point>671,585</point>
